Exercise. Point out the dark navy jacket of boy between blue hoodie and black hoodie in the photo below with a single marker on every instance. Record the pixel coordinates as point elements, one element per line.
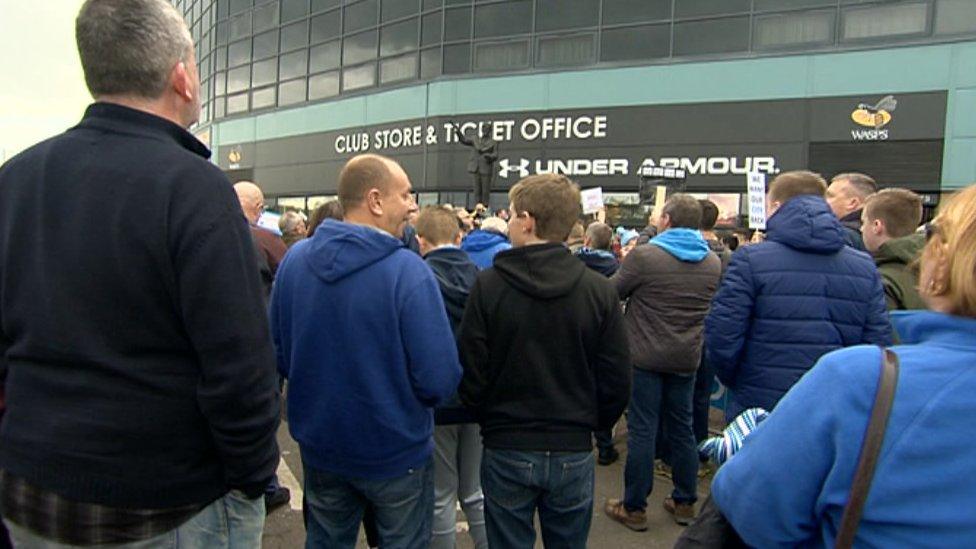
<point>455,273</point>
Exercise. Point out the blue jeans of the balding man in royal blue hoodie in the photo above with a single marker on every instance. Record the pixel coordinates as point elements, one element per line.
<point>404,507</point>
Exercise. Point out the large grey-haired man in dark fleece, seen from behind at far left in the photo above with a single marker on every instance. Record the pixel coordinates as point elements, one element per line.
<point>141,399</point>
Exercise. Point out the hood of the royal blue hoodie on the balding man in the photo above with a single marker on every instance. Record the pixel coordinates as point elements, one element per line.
<point>340,249</point>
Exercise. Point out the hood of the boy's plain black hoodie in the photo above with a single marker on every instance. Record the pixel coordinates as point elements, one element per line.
<point>544,271</point>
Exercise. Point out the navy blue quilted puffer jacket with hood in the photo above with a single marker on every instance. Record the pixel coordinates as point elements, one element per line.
<point>788,301</point>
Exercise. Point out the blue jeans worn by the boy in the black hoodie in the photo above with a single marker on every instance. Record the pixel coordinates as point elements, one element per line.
<point>558,484</point>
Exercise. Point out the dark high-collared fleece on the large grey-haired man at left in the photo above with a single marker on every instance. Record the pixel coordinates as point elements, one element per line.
<point>133,329</point>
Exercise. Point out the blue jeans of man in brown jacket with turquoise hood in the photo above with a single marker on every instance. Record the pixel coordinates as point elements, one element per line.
<point>654,395</point>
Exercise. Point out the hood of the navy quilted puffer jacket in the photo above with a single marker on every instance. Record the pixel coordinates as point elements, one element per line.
<point>806,223</point>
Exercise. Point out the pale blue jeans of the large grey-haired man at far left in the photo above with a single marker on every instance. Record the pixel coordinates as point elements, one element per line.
<point>231,522</point>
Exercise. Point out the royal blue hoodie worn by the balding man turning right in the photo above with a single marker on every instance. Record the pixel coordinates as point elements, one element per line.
<point>361,334</point>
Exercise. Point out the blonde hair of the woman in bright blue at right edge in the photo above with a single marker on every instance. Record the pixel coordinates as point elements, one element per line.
<point>953,246</point>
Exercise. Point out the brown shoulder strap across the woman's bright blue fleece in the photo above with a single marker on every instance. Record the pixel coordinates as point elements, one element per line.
<point>870,449</point>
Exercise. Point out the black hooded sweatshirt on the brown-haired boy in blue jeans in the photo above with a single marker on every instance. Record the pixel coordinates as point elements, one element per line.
<point>544,351</point>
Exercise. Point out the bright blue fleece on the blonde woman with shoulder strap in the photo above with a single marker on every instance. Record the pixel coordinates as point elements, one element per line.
<point>790,481</point>
